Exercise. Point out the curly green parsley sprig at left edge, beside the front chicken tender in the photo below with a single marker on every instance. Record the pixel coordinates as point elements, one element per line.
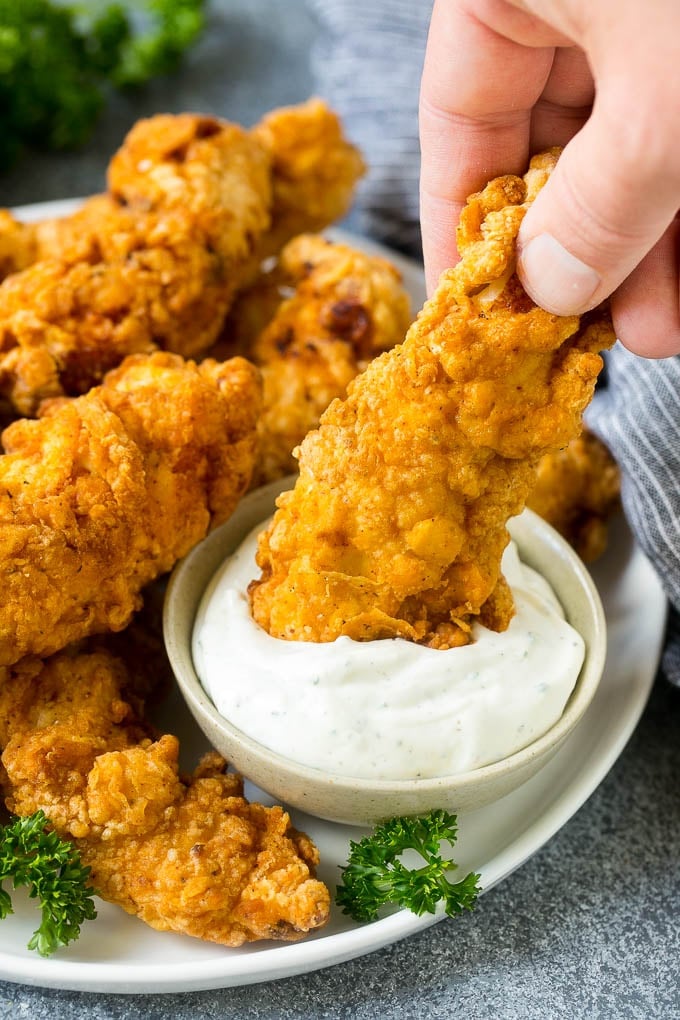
<point>31,855</point>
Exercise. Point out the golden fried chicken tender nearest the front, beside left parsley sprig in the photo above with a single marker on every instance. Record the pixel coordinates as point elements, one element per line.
<point>185,854</point>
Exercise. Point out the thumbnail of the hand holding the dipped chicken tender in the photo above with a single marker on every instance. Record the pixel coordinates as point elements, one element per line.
<point>555,279</point>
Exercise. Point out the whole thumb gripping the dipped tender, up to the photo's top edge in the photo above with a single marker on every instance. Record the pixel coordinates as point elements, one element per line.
<point>617,186</point>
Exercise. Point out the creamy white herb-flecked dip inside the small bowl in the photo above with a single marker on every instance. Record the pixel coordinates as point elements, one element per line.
<point>388,709</point>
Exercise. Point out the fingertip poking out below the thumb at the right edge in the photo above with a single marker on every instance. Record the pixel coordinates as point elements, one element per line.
<point>646,310</point>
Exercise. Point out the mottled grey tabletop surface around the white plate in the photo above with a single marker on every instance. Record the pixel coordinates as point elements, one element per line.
<point>591,927</point>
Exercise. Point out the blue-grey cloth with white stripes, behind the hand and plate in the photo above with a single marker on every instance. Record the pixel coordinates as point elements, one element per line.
<point>368,63</point>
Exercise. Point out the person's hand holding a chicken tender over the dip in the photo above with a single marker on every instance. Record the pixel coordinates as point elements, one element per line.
<point>504,79</point>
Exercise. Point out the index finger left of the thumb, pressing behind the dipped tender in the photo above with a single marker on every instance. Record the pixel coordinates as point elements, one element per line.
<point>479,90</point>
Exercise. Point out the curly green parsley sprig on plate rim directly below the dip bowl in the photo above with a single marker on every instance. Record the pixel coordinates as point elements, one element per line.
<point>375,876</point>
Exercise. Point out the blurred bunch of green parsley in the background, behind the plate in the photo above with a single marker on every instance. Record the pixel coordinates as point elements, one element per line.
<point>59,62</point>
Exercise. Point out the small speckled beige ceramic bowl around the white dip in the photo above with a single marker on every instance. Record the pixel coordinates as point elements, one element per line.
<point>364,801</point>
